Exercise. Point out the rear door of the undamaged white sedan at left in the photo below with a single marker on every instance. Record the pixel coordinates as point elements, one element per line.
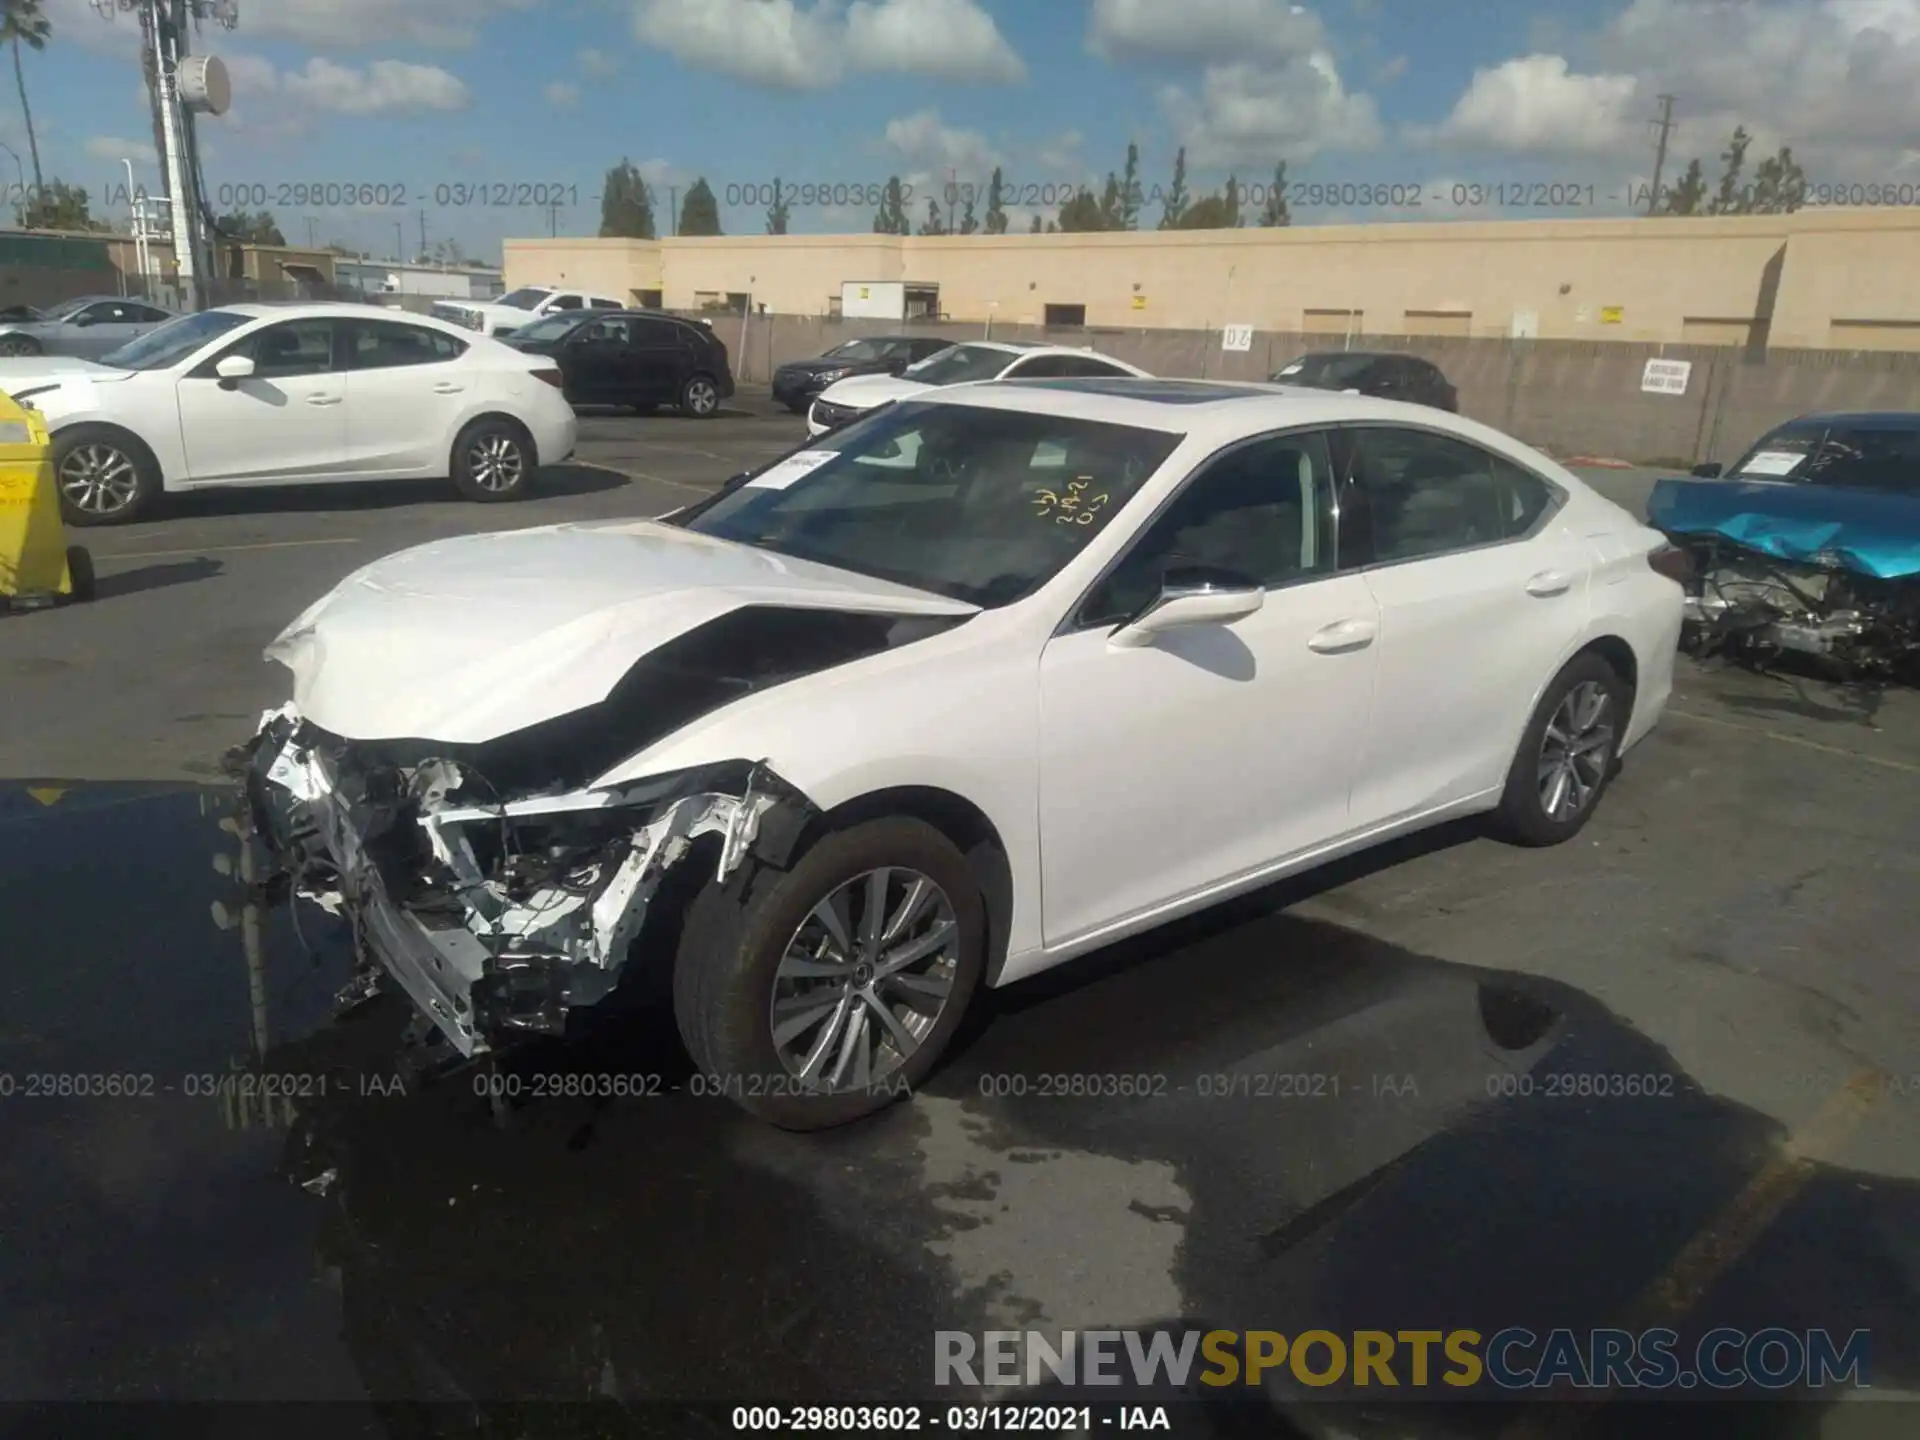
<point>408,389</point>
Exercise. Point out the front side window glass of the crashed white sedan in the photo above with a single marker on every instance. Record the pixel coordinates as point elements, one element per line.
<point>1262,512</point>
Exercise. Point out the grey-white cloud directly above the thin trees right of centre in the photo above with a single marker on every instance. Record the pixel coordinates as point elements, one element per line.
<point>1255,114</point>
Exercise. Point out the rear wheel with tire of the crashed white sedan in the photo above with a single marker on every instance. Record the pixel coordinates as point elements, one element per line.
<point>1568,756</point>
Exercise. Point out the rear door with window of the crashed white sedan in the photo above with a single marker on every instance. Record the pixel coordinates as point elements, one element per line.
<point>1481,598</point>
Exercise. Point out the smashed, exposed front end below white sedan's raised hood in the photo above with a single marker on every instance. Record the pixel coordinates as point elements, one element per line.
<point>498,884</point>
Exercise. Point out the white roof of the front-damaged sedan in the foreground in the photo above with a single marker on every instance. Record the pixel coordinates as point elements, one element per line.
<point>1216,410</point>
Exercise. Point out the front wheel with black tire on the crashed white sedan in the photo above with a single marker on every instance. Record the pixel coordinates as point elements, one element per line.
<point>734,955</point>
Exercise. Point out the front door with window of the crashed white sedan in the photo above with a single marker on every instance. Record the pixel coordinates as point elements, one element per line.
<point>1214,752</point>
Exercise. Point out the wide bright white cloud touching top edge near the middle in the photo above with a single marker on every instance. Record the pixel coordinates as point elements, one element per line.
<point>798,47</point>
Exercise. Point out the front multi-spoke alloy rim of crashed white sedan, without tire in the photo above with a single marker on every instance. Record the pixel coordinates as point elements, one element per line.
<point>865,980</point>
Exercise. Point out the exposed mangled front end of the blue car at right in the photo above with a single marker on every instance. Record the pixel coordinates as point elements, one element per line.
<point>1754,608</point>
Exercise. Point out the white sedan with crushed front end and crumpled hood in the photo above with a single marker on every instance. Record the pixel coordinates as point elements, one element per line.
<point>969,688</point>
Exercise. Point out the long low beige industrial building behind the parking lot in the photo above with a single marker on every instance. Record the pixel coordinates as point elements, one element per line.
<point>1819,279</point>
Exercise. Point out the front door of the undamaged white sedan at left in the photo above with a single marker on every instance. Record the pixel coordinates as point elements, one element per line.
<point>287,421</point>
